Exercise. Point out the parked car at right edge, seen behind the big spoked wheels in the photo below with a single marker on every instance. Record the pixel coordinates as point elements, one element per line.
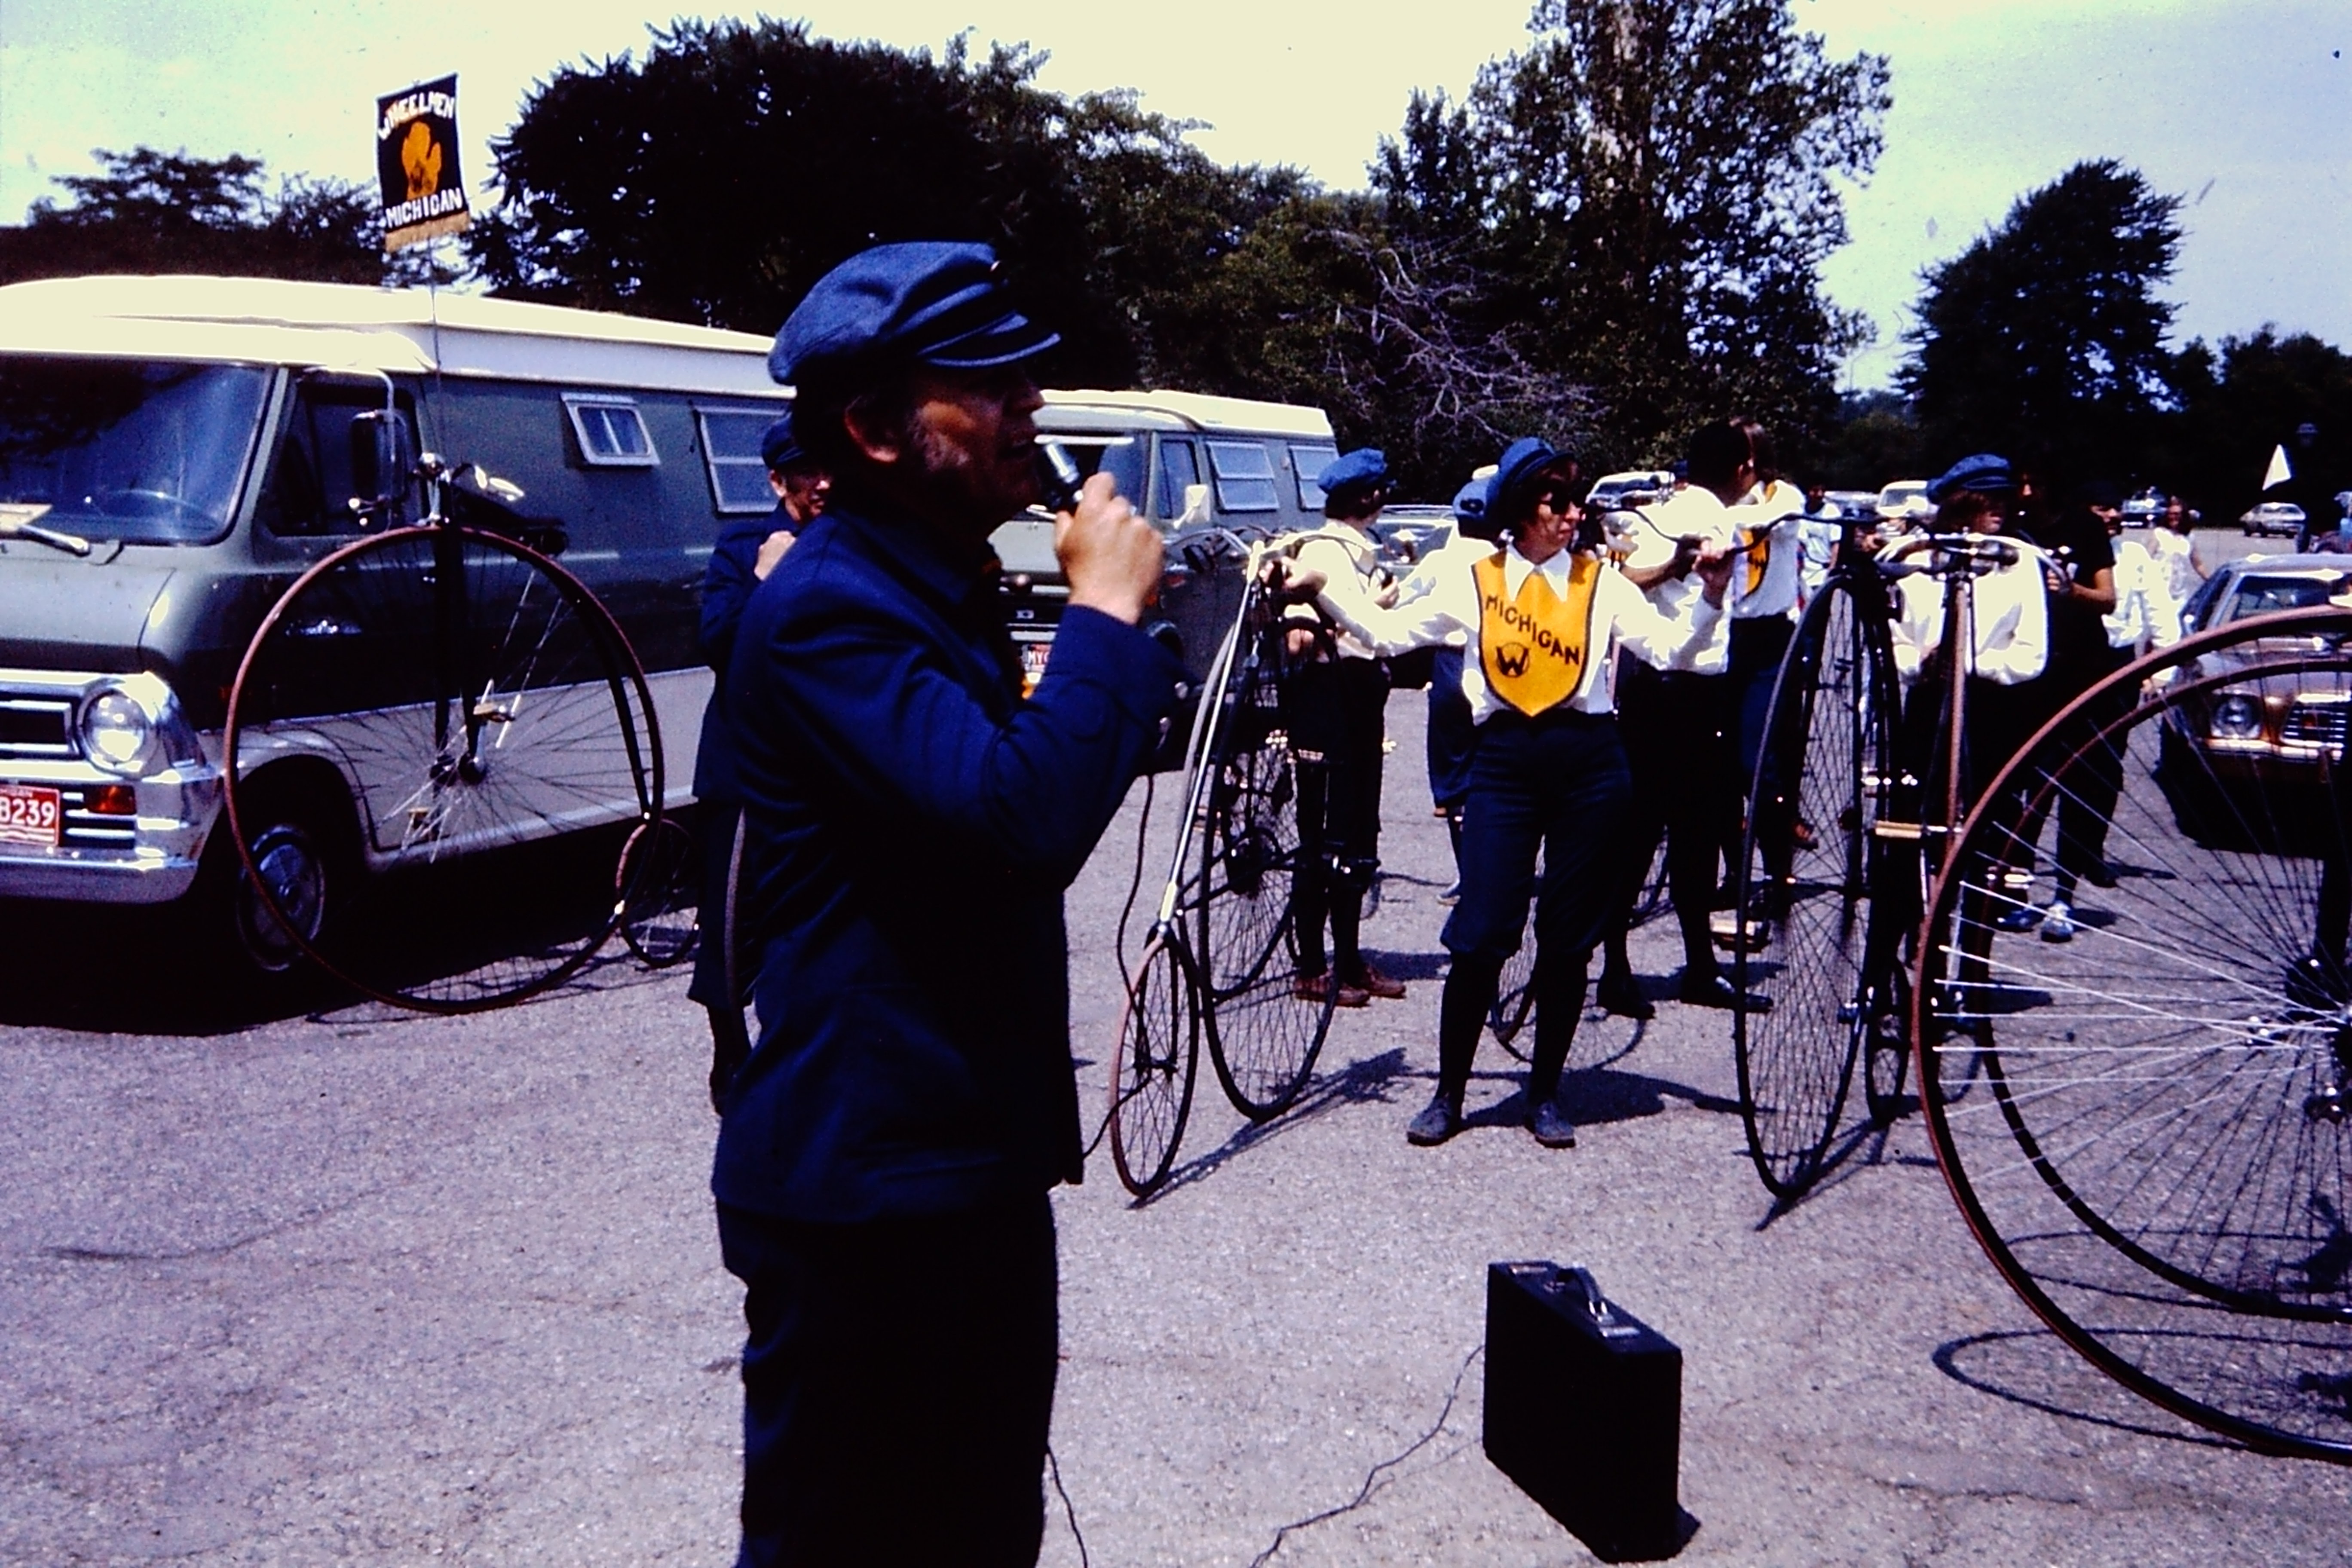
<point>2240,763</point>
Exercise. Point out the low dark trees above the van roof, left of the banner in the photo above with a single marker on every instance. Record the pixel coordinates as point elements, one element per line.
<point>171,213</point>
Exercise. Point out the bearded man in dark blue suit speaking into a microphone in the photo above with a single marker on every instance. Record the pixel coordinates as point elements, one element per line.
<point>911,826</point>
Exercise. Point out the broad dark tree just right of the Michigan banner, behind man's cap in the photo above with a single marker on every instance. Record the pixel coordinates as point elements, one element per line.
<point>728,170</point>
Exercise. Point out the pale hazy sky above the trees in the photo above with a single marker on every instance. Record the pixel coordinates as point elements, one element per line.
<point>2243,107</point>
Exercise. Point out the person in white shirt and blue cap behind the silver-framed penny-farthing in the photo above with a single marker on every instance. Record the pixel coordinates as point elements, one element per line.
<point>1335,704</point>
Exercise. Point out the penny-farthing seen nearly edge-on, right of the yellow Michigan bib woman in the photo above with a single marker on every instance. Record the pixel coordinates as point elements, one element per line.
<point>1840,836</point>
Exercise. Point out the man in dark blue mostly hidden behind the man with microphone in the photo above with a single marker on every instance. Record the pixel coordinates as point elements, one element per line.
<point>740,561</point>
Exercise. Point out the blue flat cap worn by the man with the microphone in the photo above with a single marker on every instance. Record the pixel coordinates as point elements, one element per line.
<point>923,302</point>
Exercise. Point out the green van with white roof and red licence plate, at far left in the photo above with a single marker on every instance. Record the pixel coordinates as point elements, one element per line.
<point>199,438</point>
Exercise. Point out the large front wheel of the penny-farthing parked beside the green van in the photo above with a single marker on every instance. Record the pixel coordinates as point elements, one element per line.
<point>436,711</point>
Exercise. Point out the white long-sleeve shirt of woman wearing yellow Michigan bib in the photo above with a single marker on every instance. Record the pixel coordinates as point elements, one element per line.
<point>1622,619</point>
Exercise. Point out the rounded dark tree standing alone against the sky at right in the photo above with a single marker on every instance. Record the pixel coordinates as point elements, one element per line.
<point>2045,340</point>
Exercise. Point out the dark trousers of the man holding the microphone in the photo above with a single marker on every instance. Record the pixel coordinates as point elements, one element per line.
<point>897,1386</point>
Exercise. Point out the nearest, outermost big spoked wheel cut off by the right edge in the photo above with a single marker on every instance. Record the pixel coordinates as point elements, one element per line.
<point>2146,1125</point>
